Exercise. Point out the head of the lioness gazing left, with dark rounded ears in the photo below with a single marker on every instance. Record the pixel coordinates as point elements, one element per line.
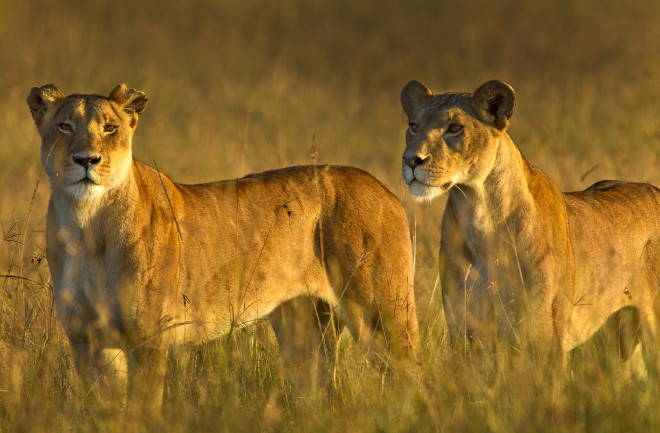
<point>452,137</point>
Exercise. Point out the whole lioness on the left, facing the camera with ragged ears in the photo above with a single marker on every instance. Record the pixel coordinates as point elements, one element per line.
<point>139,262</point>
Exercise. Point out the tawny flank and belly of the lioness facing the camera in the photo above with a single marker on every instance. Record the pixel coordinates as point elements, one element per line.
<point>263,248</point>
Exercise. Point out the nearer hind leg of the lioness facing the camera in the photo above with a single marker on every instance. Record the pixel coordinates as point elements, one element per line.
<point>373,295</point>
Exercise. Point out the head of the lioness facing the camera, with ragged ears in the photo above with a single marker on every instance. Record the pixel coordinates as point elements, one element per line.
<point>86,139</point>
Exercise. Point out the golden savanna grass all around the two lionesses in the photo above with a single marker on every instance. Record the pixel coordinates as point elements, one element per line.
<point>238,87</point>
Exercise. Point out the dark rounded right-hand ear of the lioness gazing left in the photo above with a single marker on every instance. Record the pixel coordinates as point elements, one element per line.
<point>494,102</point>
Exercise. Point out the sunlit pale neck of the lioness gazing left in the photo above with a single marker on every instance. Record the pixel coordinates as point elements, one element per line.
<point>499,195</point>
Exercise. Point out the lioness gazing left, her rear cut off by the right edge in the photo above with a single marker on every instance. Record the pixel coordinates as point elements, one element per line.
<point>518,257</point>
